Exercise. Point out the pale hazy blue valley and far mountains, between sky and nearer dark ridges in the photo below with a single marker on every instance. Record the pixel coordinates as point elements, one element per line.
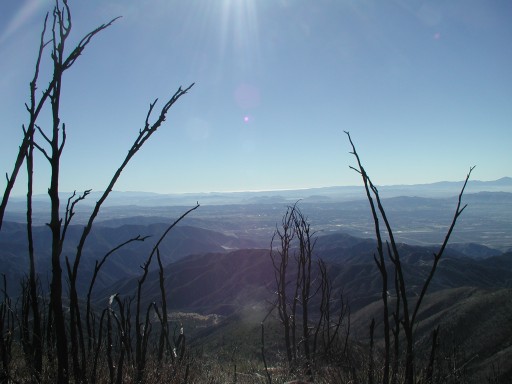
<point>418,212</point>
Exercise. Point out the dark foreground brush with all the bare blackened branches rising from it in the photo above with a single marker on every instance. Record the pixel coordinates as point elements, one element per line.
<point>54,331</point>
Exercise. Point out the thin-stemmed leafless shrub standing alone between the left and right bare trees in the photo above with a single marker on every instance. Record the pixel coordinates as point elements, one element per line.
<point>312,335</point>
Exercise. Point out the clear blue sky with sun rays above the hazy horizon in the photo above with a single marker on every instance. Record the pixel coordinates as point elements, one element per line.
<point>424,87</point>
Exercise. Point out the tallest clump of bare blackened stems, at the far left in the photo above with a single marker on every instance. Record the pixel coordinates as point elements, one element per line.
<point>65,336</point>
